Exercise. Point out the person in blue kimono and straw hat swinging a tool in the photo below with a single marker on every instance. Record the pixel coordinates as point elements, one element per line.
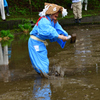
<point>47,27</point>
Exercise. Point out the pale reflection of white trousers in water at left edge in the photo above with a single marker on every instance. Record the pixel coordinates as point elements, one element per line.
<point>5,54</point>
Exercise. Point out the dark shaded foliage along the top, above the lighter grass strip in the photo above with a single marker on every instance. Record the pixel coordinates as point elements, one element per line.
<point>23,6</point>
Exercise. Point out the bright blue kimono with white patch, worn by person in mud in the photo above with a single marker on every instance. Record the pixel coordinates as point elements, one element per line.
<point>44,29</point>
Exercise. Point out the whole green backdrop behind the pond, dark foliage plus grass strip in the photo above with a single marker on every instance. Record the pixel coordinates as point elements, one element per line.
<point>23,10</point>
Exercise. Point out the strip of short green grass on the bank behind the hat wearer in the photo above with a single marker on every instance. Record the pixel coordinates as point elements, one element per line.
<point>34,16</point>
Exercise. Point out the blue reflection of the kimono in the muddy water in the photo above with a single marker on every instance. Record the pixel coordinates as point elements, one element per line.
<point>41,91</point>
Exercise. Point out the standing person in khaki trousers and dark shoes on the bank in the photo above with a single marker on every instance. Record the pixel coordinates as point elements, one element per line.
<point>77,10</point>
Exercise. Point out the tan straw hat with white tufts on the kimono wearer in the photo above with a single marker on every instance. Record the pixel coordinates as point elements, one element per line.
<point>51,8</point>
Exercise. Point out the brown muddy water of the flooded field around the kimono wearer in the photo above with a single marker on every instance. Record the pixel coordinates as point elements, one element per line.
<point>79,63</point>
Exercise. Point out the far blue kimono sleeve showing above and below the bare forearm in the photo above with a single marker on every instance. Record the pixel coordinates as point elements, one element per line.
<point>60,30</point>
